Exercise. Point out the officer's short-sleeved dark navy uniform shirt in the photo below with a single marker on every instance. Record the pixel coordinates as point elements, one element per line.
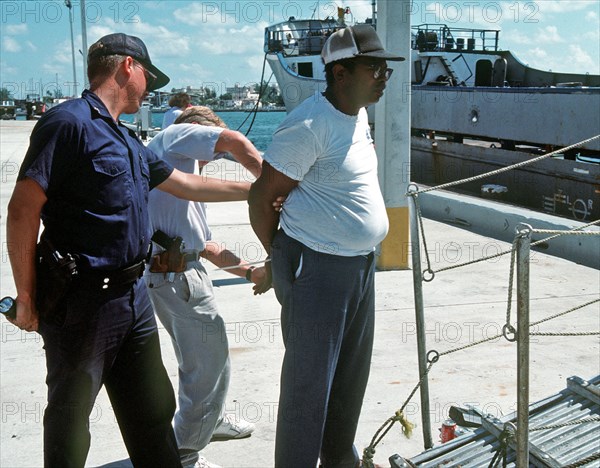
<point>96,174</point>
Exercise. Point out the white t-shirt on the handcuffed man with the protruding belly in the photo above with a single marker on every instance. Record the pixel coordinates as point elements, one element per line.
<point>337,207</point>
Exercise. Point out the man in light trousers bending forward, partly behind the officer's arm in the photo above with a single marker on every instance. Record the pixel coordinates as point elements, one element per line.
<point>182,296</point>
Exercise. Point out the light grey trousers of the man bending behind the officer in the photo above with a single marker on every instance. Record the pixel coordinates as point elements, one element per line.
<point>187,308</point>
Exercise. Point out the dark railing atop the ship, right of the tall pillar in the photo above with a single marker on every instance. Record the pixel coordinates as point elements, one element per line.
<point>440,37</point>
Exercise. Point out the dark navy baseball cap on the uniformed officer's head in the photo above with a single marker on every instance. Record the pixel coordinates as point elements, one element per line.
<point>122,44</point>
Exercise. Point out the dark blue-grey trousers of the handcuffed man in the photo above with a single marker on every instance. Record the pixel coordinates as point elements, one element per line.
<point>327,319</point>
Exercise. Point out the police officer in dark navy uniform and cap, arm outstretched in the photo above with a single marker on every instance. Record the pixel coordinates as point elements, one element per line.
<point>87,177</point>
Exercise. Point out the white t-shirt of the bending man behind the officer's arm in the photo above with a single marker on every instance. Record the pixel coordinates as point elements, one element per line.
<point>182,145</point>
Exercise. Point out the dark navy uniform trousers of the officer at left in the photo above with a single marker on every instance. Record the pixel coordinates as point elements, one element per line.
<point>98,337</point>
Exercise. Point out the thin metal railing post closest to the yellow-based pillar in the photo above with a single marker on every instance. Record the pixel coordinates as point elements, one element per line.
<point>420,322</point>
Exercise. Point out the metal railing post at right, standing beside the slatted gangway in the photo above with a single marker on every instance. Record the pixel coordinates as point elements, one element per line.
<point>523,249</point>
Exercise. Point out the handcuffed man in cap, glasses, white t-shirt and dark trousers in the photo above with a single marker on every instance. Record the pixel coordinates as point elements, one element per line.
<point>322,157</point>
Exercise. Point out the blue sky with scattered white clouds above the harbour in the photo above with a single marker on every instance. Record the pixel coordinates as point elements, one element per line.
<point>220,43</point>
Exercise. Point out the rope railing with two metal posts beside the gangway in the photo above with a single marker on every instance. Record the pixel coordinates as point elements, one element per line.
<point>520,258</point>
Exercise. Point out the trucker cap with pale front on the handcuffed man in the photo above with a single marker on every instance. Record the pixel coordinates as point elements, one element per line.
<point>360,40</point>
